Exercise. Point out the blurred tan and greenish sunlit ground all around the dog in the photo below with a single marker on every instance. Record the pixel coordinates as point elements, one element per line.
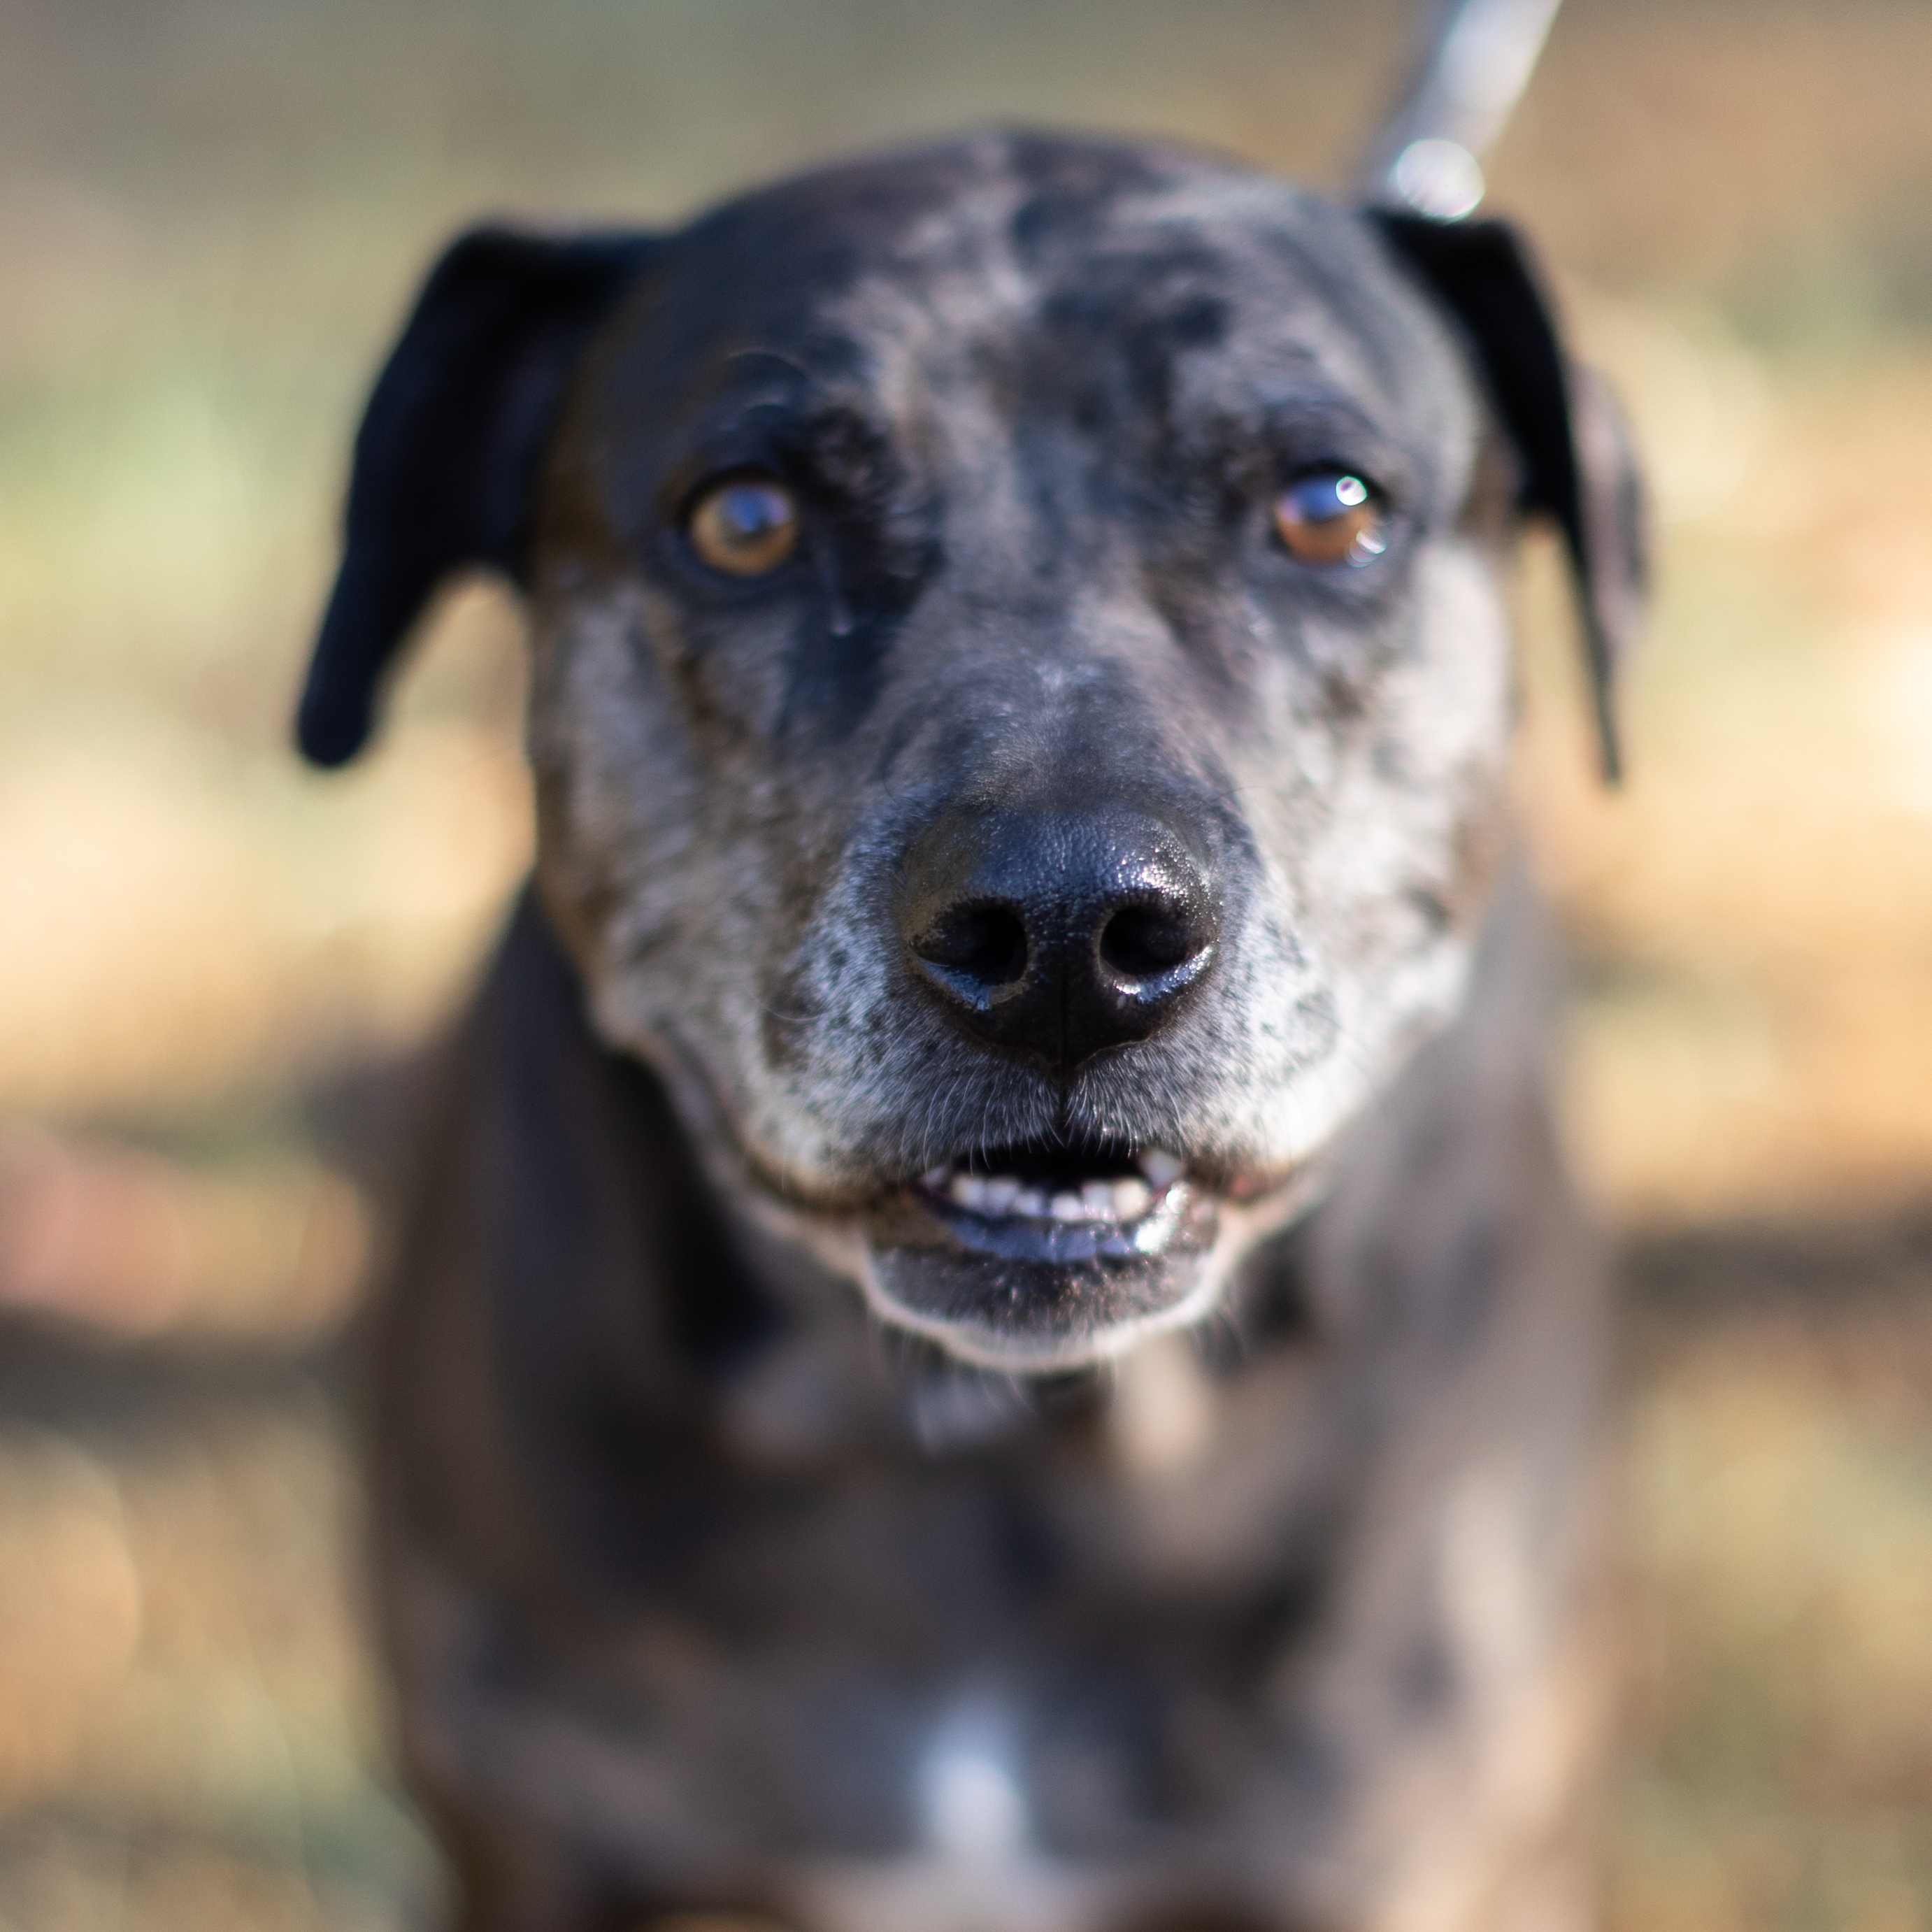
<point>210,217</point>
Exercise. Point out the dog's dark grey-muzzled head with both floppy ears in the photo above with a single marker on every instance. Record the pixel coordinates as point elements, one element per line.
<point>1021,679</point>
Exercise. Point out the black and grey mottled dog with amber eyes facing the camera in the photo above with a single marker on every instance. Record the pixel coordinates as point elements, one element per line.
<point>990,1330</point>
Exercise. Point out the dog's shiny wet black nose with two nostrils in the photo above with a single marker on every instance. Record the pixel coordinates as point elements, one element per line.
<point>1058,934</point>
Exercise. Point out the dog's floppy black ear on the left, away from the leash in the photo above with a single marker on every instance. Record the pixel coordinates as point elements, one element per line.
<point>449,449</point>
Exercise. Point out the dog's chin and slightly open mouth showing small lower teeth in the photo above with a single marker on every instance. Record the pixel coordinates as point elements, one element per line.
<point>1037,1261</point>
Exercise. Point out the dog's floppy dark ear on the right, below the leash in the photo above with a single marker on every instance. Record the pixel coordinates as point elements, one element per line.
<point>1570,436</point>
